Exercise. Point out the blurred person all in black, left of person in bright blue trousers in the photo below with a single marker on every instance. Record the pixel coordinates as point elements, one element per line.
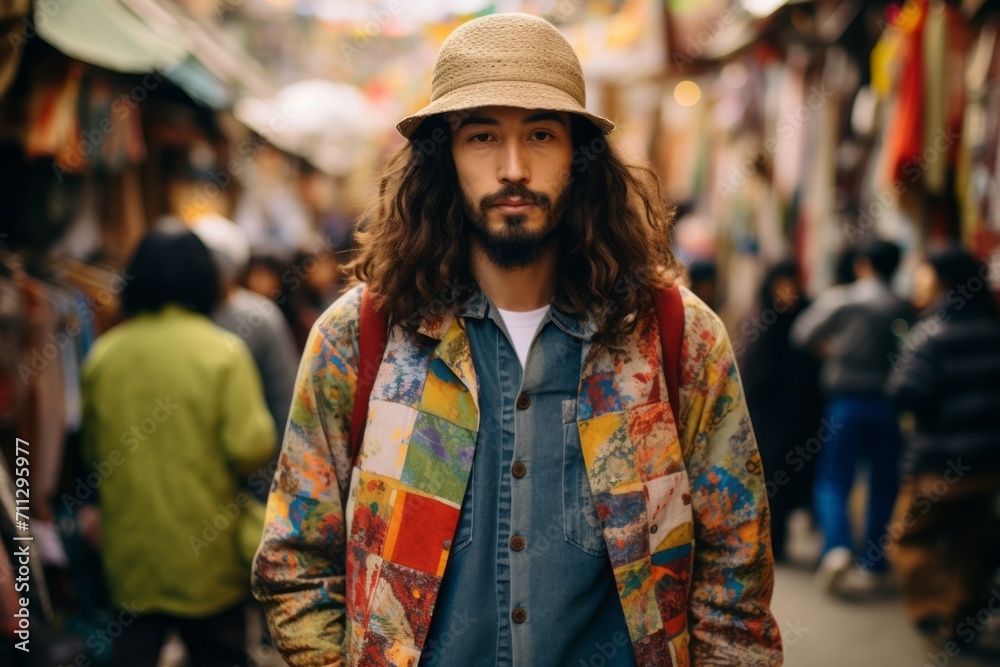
<point>781,381</point>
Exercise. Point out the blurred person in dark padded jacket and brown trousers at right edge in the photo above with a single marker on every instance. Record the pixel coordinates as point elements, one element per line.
<point>946,376</point>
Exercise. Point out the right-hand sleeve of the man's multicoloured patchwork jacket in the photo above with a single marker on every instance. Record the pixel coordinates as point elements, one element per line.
<point>729,614</point>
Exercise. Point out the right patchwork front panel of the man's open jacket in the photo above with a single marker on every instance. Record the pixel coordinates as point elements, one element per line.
<point>638,481</point>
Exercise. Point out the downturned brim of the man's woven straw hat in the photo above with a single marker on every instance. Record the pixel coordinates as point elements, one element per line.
<point>519,94</point>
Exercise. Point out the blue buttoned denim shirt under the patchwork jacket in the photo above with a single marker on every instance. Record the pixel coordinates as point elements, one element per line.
<point>529,581</point>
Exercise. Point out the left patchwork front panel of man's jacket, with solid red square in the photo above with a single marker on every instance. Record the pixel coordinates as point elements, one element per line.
<point>413,472</point>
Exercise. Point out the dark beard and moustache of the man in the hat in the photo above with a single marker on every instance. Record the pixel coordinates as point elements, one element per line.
<point>514,247</point>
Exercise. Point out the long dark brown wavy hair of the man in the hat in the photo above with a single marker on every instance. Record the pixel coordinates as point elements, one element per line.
<point>613,238</point>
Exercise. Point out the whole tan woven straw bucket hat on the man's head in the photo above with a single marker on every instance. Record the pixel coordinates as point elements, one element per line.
<point>510,60</point>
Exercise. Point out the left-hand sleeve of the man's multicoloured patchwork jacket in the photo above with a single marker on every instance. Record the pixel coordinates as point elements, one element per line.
<point>299,570</point>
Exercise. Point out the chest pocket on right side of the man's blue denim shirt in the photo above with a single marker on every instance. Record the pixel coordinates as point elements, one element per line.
<point>581,527</point>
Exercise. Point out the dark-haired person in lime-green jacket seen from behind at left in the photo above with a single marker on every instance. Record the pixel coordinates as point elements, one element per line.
<point>175,422</point>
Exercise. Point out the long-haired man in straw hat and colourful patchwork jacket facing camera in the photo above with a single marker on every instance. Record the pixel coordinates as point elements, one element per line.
<point>523,493</point>
